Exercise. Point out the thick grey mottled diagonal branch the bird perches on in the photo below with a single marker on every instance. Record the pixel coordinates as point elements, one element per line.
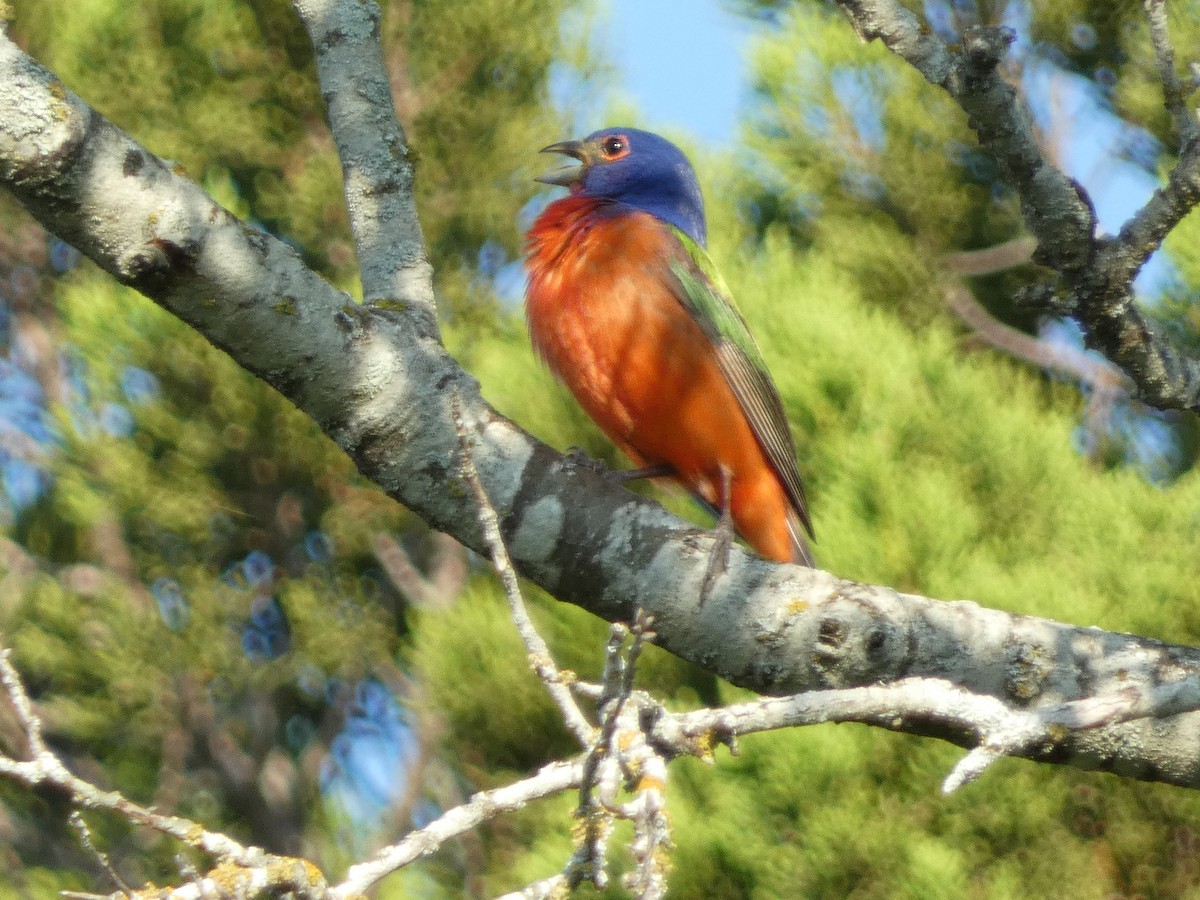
<point>379,382</point>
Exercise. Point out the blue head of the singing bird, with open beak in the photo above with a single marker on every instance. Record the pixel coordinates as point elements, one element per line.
<point>639,170</point>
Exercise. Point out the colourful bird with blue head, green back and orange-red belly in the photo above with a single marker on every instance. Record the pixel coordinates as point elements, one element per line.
<point>627,309</point>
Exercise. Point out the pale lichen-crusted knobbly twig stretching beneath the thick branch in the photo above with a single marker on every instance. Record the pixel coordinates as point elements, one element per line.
<point>638,759</point>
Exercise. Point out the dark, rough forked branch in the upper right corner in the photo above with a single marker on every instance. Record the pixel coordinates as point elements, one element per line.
<point>1096,274</point>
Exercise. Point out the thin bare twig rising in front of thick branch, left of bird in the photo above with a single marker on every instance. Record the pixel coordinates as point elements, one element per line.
<point>541,659</point>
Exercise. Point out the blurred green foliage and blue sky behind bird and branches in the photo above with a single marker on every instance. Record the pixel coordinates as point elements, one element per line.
<point>219,617</point>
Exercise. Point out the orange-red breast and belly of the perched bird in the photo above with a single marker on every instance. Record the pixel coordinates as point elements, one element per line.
<point>604,317</point>
